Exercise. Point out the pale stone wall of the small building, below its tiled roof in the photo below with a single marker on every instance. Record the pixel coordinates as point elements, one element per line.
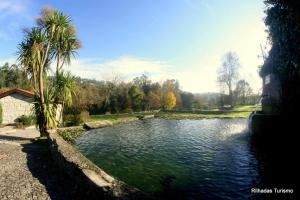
<point>15,105</point>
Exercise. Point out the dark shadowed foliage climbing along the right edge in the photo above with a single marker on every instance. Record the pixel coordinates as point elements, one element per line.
<point>283,24</point>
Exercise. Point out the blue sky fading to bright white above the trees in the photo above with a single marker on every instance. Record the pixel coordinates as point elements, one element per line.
<point>181,39</point>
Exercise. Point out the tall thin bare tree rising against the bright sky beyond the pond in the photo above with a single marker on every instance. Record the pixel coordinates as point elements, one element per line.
<point>228,73</point>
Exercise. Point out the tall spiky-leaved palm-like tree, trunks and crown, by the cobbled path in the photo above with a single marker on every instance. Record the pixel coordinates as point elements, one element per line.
<point>41,45</point>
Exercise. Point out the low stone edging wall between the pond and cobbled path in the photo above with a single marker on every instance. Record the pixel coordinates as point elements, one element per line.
<point>86,174</point>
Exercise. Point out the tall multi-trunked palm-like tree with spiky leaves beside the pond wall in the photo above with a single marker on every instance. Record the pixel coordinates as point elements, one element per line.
<point>53,39</point>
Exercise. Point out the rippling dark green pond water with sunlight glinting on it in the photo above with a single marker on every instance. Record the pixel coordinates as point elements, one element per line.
<point>179,159</point>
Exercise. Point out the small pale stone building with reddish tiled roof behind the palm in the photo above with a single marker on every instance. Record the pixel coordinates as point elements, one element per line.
<point>18,102</point>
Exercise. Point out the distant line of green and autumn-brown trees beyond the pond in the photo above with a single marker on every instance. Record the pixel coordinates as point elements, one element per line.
<point>118,96</point>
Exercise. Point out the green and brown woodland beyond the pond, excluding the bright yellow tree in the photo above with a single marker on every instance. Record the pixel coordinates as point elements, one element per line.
<point>100,97</point>
